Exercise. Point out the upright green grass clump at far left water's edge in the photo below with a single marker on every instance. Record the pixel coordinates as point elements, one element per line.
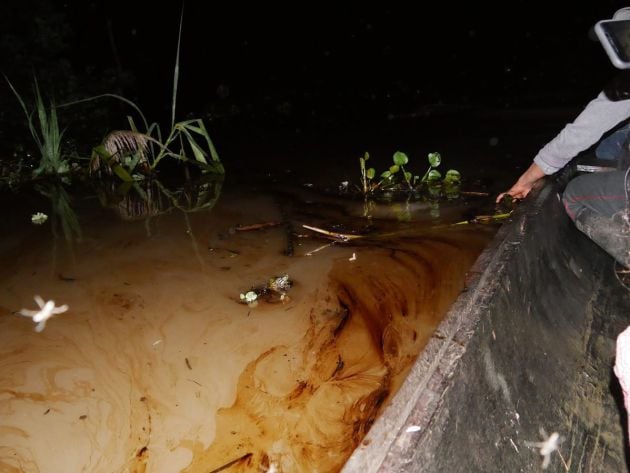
<point>44,127</point>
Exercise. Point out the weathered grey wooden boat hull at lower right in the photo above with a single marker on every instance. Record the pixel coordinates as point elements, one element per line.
<point>528,346</point>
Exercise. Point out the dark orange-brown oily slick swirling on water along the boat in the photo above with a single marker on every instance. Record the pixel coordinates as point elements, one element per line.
<point>306,406</point>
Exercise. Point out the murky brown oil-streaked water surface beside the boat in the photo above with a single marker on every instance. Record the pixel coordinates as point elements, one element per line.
<point>158,367</point>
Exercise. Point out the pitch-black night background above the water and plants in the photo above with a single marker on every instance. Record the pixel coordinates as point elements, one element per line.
<point>273,72</point>
